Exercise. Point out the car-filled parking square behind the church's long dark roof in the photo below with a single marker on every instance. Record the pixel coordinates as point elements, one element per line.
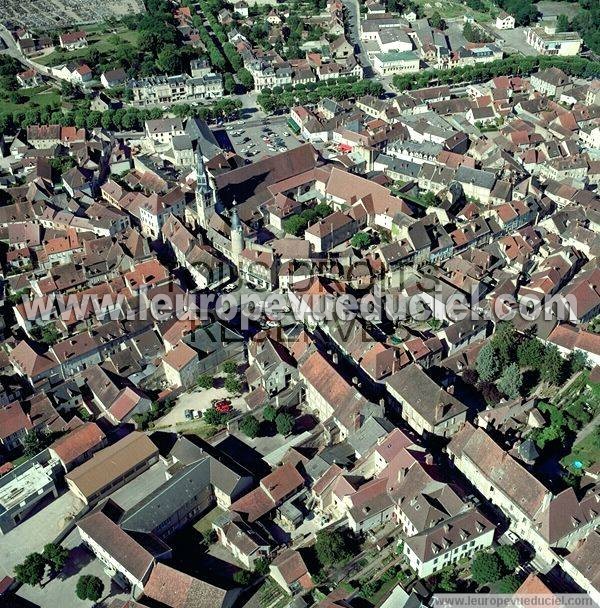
<point>257,139</point>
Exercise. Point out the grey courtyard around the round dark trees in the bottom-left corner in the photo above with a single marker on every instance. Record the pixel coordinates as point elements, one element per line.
<point>60,591</point>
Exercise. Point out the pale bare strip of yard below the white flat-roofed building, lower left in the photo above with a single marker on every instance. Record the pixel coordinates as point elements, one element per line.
<point>32,534</point>
